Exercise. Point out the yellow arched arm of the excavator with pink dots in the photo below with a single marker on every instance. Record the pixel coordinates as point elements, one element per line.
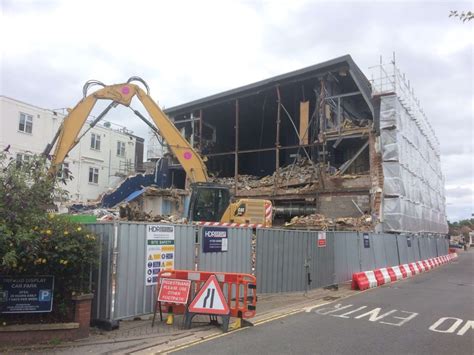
<point>123,94</point>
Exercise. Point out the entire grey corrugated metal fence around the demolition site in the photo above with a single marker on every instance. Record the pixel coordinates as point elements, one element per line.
<point>283,260</point>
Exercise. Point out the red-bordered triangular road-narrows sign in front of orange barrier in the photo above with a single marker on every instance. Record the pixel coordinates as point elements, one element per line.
<point>210,299</point>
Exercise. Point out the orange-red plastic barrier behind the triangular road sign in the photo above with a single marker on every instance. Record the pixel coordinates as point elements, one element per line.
<point>239,290</point>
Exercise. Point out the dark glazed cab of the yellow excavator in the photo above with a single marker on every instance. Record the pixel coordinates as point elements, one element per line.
<point>208,201</point>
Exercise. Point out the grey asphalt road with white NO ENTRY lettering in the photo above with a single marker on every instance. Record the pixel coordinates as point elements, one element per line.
<point>431,313</point>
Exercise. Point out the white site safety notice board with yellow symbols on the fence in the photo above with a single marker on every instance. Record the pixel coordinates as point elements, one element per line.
<point>160,248</point>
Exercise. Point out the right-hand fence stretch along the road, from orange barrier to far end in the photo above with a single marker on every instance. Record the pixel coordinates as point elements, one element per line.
<point>290,260</point>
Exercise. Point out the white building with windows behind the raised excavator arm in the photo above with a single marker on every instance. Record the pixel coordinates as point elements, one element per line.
<point>103,158</point>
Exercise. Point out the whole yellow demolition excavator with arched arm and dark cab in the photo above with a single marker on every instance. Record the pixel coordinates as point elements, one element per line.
<point>209,202</point>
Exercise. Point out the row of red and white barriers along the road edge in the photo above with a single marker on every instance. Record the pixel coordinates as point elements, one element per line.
<point>373,278</point>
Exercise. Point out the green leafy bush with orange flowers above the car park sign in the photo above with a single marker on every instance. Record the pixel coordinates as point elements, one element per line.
<point>35,242</point>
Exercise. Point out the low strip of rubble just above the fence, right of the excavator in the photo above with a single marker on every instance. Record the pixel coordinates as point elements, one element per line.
<point>321,222</point>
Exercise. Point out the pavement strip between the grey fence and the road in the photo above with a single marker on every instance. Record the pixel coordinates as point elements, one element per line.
<point>138,336</point>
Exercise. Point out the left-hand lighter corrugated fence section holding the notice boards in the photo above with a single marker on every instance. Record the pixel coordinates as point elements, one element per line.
<point>119,281</point>
